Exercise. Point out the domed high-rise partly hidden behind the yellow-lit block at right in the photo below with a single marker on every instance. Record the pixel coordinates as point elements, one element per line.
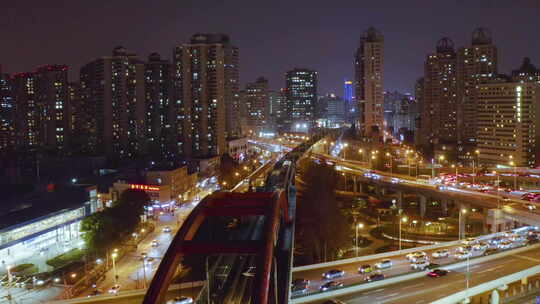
<point>476,64</point>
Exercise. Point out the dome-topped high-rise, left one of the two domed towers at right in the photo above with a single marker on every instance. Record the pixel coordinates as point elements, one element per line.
<point>440,94</point>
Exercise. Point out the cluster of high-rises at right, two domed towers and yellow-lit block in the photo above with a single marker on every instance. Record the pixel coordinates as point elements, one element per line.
<point>469,111</point>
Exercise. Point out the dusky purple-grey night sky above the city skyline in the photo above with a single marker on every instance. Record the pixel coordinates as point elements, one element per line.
<point>273,36</point>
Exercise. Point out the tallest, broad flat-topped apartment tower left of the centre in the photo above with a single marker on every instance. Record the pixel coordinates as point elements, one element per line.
<point>205,80</point>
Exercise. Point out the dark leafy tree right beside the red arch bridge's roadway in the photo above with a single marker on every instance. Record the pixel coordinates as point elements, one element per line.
<point>322,230</point>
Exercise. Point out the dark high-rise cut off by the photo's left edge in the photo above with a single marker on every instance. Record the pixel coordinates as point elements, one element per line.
<point>7,113</point>
